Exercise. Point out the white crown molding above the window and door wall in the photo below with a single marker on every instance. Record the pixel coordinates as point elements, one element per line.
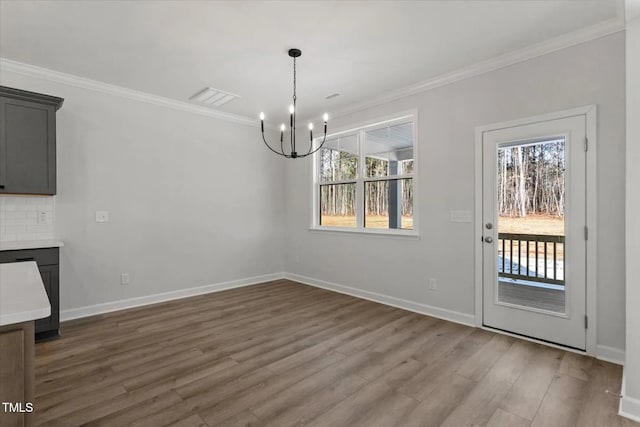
<point>583,35</point>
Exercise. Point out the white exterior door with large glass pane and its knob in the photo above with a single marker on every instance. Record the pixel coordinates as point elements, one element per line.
<point>534,230</point>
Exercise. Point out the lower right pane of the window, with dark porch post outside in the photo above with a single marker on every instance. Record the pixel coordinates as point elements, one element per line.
<point>389,204</point>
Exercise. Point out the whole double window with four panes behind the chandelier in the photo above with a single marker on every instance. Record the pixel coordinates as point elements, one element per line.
<point>364,179</point>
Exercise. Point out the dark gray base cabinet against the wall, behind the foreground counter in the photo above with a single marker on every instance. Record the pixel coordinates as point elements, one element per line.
<point>48,264</point>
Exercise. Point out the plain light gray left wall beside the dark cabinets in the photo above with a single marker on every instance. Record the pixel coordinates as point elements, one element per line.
<point>192,200</point>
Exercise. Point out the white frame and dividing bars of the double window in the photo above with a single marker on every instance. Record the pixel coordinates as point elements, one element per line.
<point>361,179</point>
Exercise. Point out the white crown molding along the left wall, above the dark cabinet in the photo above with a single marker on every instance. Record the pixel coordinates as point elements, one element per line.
<point>94,85</point>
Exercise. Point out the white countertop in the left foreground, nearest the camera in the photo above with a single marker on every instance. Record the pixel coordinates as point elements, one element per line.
<point>22,294</point>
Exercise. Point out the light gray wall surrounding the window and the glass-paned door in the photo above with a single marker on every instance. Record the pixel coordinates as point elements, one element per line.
<point>589,73</point>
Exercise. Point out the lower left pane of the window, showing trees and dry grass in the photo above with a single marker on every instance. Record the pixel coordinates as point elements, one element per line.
<point>338,205</point>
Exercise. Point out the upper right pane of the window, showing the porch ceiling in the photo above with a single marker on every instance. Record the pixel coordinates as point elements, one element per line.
<point>389,150</point>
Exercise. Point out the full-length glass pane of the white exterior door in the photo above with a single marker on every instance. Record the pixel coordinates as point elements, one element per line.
<point>531,224</point>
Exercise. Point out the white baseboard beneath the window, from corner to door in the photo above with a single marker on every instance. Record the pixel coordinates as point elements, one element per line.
<point>441,313</point>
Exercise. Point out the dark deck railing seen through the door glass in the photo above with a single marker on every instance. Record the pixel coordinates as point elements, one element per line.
<point>532,257</point>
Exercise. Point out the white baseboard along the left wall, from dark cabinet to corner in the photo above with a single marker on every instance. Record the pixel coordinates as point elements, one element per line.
<point>92,310</point>
